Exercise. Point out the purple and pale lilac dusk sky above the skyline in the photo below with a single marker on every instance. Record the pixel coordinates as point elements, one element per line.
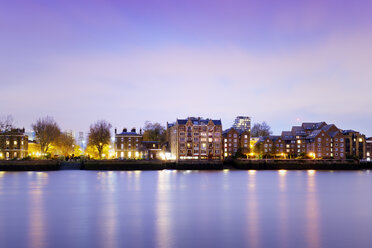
<point>127,62</point>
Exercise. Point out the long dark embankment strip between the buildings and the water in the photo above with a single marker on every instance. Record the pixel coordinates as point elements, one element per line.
<point>238,164</point>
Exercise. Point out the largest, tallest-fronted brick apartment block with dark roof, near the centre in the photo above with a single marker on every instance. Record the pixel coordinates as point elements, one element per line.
<point>195,139</point>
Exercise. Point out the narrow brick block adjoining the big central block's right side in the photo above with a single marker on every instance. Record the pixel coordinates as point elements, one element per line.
<point>234,139</point>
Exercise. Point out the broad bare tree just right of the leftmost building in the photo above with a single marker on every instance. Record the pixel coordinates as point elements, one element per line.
<point>47,132</point>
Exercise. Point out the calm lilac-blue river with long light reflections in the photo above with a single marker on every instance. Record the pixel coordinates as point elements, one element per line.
<point>186,209</point>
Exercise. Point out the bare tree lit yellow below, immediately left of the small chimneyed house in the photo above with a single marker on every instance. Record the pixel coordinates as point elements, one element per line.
<point>99,135</point>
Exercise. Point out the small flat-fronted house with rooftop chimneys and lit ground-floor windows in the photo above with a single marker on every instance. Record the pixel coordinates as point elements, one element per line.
<point>128,144</point>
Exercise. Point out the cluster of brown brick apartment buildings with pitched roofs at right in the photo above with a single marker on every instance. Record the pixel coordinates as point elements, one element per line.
<point>318,139</point>
